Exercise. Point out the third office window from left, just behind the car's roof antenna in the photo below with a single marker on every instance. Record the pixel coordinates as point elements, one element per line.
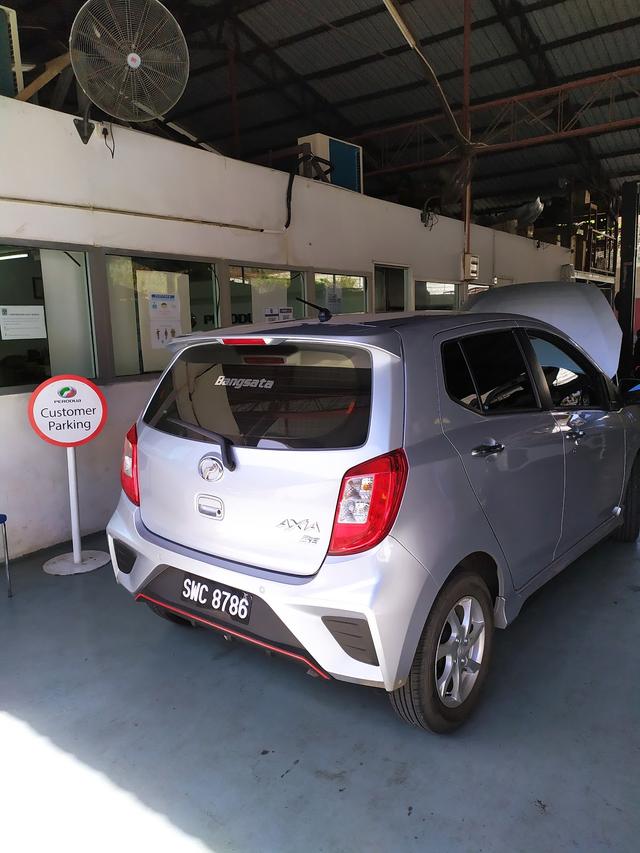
<point>259,295</point>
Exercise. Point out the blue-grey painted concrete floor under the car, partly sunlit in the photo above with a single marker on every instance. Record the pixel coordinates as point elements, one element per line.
<point>120,731</point>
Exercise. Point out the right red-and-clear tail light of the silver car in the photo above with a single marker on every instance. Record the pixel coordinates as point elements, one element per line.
<point>370,497</point>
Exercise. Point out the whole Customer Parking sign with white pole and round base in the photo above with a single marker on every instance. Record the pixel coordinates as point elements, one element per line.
<point>68,411</point>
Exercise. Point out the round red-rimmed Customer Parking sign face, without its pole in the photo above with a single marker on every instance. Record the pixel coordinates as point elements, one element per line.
<point>67,410</point>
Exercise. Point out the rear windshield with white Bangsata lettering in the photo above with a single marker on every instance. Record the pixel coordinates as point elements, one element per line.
<point>289,395</point>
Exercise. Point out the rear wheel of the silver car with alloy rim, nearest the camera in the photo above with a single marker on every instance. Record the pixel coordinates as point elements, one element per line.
<point>428,699</point>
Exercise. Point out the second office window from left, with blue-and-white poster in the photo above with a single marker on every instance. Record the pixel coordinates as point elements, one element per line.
<point>154,300</point>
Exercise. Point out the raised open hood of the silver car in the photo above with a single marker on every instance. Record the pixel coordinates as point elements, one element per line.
<point>578,310</point>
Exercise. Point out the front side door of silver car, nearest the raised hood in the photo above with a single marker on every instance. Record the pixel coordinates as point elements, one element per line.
<point>593,434</point>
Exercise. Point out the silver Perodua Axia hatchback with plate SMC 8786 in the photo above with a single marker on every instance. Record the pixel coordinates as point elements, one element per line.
<point>371,499</point>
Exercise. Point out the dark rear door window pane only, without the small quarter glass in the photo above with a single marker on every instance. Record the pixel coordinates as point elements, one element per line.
<point>500,372</point>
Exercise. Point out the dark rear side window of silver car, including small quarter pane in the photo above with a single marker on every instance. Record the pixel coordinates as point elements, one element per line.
<point>489,373</point>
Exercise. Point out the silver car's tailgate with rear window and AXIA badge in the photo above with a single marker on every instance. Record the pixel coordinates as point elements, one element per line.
<point>298,414</point>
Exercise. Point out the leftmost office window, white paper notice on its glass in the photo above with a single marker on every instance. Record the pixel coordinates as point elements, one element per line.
<point>45,319</point>
